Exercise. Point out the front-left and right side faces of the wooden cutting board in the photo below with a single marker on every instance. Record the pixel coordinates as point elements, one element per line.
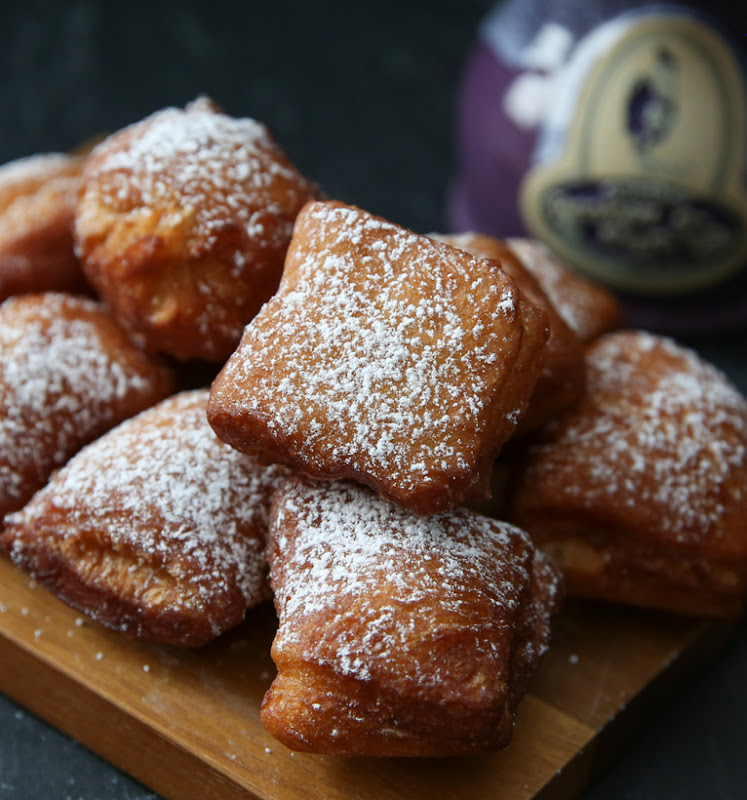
<point>65,700</point>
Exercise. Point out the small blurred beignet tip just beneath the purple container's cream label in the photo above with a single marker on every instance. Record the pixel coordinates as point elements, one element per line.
<point>588,308</point>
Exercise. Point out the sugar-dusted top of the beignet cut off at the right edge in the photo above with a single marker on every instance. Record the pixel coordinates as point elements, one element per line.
<point>660,429</point>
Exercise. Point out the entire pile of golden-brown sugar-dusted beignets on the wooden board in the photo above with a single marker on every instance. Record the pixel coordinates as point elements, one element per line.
<point>371,392</point>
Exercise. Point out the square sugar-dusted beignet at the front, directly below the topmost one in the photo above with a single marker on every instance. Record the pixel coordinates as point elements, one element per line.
<point>399,634</point>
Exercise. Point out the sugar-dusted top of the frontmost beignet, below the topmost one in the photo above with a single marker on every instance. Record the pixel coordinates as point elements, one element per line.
<point>367,587</point>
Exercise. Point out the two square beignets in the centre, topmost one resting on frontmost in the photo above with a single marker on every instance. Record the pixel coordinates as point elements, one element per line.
<point>407,626</point>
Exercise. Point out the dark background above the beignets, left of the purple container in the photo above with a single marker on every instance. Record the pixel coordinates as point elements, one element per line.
<point>361,98</point>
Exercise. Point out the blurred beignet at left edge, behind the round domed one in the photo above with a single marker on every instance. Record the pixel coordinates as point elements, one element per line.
<point>38,195</point>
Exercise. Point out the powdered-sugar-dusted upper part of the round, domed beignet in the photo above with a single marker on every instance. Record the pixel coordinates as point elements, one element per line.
<point>216,170</point>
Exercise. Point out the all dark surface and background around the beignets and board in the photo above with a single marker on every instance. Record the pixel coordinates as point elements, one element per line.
<point>362,97</point>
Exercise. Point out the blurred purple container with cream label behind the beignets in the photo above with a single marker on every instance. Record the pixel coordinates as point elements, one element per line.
<point>615,132</point>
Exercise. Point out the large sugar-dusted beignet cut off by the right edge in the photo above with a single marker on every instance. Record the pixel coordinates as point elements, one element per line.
<point>639,493</point>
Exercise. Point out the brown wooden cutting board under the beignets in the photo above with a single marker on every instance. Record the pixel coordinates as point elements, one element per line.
<point>186,723</point>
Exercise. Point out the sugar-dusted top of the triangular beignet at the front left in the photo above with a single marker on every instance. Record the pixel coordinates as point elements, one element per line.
<point>162,490</point>
